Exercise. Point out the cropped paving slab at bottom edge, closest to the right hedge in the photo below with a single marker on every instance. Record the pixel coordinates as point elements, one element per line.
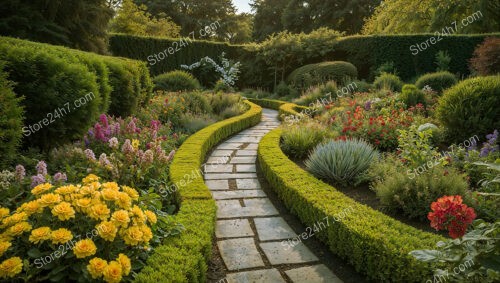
<point>313,274</point>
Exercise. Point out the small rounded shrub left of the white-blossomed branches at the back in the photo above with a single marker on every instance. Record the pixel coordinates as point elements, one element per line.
<point>176,81</point>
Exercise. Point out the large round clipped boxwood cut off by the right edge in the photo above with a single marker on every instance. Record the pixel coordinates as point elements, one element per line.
<point>470,108</point>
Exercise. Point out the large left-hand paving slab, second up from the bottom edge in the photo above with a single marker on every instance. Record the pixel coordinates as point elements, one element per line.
<point>240,253</point>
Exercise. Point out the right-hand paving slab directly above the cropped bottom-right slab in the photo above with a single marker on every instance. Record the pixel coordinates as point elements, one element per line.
<point>277,253</point>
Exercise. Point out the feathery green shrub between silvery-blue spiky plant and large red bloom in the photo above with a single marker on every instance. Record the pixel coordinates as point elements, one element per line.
<point>412,191</point>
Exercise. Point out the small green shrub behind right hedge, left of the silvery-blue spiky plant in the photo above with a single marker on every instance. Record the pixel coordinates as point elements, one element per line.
<point>299,140</point>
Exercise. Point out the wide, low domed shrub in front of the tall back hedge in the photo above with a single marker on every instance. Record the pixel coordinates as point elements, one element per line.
<point>314,74</point>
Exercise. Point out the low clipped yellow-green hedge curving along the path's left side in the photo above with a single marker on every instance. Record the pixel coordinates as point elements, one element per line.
<point>183,258</point>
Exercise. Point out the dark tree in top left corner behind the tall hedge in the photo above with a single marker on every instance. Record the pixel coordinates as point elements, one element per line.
<point>77,24</point>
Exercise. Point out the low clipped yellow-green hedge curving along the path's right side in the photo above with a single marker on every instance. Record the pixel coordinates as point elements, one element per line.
<point>375,244</point>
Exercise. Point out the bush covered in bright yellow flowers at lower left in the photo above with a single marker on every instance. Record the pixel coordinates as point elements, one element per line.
<point>92,230</point>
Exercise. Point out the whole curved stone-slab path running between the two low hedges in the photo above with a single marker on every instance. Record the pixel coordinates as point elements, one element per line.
<point>251,236</point>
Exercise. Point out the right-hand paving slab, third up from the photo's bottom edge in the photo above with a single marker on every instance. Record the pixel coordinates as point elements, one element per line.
<point>273,228</point>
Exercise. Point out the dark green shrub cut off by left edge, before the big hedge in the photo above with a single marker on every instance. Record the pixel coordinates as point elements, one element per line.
<point>11,120</point>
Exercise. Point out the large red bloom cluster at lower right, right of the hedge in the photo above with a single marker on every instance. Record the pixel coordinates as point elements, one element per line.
<point>450,213</point>
